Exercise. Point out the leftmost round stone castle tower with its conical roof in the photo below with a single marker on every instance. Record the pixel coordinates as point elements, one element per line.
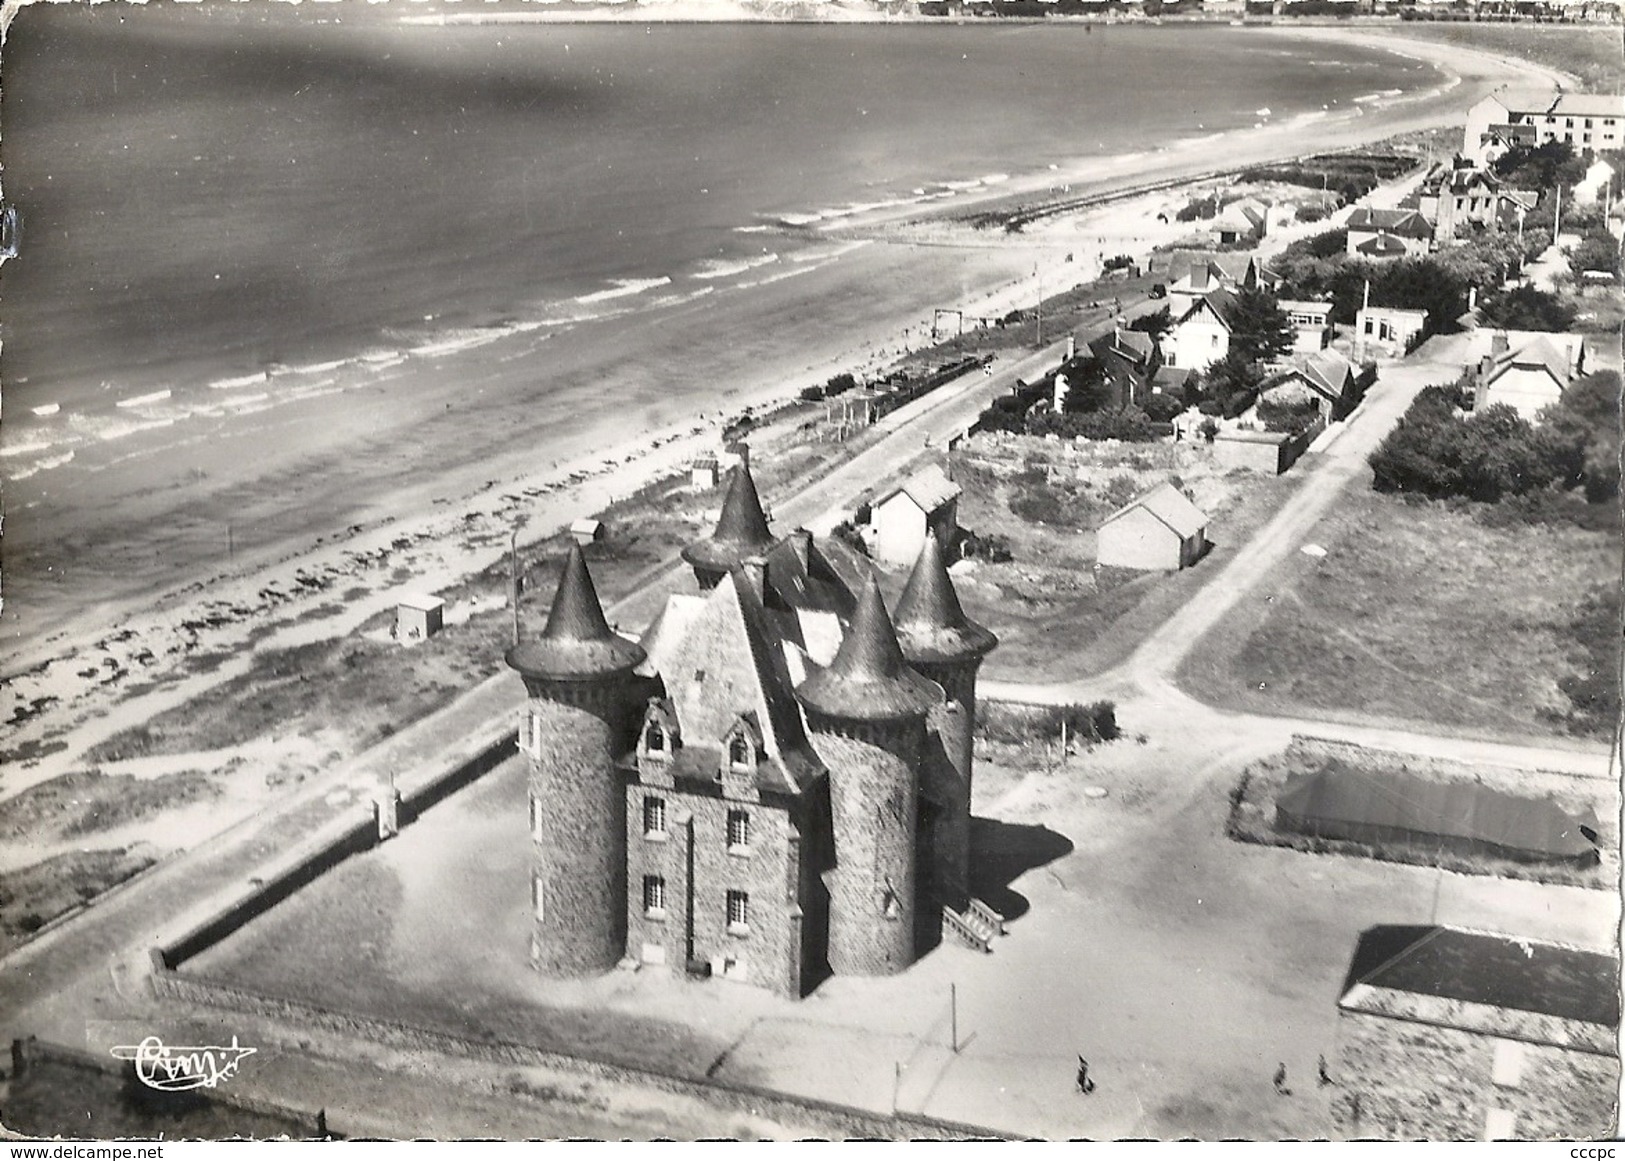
<point>579,720</point>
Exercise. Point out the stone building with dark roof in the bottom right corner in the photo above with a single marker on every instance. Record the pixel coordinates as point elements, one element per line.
<point>1447,1033</point>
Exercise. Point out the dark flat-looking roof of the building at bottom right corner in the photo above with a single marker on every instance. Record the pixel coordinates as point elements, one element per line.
<point>1502,972</point>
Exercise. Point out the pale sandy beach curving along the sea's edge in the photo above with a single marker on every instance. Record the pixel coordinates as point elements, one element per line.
<point>157,550</point>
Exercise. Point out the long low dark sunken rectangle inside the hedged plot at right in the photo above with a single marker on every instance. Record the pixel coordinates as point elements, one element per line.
<point>1346,802</point>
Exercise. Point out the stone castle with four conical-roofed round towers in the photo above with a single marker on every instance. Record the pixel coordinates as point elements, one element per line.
<point>773,786</point>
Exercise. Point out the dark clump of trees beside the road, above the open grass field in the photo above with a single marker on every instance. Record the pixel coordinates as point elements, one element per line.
<point>1496,454</point>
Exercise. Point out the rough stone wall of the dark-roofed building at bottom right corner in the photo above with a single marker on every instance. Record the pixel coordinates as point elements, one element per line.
<point>1421,1081</point>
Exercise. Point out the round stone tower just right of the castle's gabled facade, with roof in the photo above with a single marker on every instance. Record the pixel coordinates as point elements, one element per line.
<point>867,721</point>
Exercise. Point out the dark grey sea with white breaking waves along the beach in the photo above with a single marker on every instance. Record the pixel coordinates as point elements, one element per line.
<point>228,207</point>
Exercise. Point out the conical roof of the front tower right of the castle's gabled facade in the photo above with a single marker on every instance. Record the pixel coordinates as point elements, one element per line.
<point>870,681</point>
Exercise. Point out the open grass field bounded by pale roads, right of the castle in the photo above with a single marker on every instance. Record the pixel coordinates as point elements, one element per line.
<point>1418,612</point>
